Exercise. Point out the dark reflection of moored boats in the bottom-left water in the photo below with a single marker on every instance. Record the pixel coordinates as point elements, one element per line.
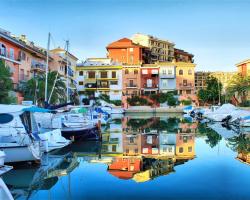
<point>24,181</point>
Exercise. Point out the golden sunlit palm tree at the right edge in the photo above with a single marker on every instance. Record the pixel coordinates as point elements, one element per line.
<point>239,85</point>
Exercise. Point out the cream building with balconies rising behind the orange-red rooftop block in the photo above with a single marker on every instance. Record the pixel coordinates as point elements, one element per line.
<point>161,50</point>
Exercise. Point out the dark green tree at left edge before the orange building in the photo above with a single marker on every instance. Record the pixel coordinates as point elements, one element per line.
<point>6,84</point>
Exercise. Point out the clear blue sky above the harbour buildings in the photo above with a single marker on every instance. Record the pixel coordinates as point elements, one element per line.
<point>217,32</point>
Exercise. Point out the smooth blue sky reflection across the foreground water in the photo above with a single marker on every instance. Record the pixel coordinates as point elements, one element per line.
<point>214,173</point>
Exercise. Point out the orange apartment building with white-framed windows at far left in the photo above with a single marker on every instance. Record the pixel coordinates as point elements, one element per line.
<point>23,60</point>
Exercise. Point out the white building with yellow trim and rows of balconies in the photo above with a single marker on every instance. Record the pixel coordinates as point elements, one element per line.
<point>99,76</point>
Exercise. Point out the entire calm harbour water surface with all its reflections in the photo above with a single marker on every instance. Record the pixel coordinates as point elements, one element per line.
<point>143,157</point>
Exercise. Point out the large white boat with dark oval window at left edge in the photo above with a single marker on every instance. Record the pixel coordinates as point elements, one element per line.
<point>18,138</point>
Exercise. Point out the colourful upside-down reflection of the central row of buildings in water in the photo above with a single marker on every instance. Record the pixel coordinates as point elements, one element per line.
<point>148,148</point>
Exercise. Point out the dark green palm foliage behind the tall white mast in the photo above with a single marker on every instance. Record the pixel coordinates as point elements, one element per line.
<point>34,89</point>
